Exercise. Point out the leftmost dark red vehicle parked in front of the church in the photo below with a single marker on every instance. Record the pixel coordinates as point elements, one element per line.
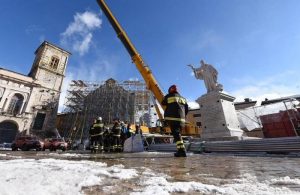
<point>26,143</point>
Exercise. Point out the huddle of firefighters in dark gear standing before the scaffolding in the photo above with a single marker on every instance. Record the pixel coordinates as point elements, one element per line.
<point>105,139</point>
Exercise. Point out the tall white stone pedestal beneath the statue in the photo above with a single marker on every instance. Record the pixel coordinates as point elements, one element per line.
<point>218,117</point>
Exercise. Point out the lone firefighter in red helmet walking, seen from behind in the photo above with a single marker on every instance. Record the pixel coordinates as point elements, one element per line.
<point>176,110</point>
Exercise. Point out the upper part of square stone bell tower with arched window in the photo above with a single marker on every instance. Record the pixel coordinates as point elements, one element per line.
<point>49,66</point>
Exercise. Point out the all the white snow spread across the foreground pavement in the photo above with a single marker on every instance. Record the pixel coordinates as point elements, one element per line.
<point>53,176</point>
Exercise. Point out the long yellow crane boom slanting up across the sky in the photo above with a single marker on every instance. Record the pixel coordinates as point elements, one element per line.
<point>137,59</point>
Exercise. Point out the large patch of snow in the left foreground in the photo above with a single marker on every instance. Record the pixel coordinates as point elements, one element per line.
<point>51,176</point>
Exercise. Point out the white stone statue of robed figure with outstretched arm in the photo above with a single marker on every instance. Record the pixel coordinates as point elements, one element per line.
<point>209,74</point>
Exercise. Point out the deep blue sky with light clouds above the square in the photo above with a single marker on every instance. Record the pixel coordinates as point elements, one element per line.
<point>253,44</point>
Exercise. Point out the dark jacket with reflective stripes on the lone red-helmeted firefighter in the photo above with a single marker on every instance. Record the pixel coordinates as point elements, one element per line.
<point>176,107</point>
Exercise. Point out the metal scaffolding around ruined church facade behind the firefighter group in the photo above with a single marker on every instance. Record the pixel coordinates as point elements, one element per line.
<point>85,101</point>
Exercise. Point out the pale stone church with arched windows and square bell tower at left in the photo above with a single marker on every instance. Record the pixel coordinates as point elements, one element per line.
<point>29,103</point>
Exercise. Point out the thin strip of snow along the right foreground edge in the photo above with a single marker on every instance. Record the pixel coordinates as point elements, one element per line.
<point>248,184</point>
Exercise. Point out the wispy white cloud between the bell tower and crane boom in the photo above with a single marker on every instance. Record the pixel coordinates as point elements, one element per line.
<point>78,34</point>
